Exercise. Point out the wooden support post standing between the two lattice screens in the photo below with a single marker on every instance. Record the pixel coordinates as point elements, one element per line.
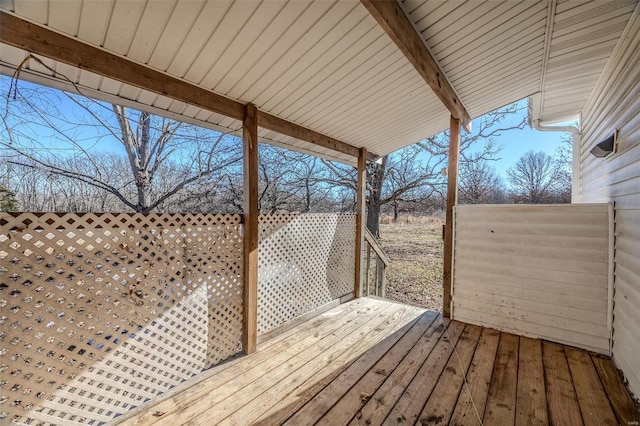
<point>250,152</point>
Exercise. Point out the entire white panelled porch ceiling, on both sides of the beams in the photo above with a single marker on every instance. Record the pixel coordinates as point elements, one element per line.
<point>329,67</point>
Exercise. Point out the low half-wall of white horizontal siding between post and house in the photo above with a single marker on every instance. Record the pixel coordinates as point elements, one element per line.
<point>539,271</point>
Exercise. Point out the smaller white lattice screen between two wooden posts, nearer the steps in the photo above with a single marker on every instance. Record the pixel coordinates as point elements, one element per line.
<point>304,261</point>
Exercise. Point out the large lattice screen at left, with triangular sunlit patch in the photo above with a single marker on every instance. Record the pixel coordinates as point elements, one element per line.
<point>100,312</point>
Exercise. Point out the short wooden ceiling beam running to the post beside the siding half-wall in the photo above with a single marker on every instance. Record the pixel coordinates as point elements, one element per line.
<point>393,21</point>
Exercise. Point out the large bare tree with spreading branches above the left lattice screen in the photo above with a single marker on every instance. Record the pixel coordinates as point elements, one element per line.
<point>44,127</point>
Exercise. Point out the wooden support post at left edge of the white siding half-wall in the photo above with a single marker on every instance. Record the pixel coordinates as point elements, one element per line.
<point>452,199</point>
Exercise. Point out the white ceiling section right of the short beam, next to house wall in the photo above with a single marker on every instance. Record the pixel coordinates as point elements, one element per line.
<point>496,52</point>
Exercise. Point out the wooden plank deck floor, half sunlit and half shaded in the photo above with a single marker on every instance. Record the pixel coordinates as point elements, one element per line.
<point>374,362</point>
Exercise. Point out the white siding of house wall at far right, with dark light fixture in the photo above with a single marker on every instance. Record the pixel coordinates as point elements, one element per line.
<point>615,104</point>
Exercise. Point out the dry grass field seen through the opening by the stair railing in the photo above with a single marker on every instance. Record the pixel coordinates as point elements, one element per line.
<point>415,247</point>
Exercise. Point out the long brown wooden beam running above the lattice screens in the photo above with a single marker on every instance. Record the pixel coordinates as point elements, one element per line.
<point>43,41</point>
